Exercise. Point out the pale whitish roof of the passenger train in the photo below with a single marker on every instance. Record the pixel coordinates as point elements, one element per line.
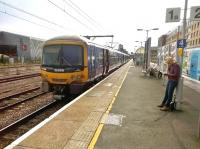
<point>85,40</point>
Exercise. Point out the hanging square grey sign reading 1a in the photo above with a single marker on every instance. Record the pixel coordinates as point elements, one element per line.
<point>173,14</point>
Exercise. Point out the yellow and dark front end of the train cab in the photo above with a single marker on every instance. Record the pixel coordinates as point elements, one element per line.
<point>64,77</point>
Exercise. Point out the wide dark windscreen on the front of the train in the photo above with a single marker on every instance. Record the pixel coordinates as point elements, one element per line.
<point>63,55</point>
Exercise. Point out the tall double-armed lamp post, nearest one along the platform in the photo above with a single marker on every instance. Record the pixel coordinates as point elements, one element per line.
<point>147,51</point>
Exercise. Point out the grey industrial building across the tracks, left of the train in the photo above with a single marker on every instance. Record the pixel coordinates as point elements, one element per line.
<point>19,46</point>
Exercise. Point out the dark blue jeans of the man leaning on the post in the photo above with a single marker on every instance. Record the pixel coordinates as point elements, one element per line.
<point>171,85</point>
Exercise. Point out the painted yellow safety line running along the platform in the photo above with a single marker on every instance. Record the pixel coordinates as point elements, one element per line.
<point>100,127</point>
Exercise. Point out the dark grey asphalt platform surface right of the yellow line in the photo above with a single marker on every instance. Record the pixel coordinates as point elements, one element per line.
<point>135,121</point>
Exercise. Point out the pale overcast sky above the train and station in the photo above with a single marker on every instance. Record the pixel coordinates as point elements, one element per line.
<point>120,18</point>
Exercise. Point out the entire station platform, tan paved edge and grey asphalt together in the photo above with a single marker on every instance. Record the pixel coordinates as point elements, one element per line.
<point>120,112</point>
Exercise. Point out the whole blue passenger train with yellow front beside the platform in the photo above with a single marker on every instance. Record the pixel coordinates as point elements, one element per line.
<point>69,63</point>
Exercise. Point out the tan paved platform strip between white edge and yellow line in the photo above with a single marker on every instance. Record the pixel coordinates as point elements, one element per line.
<point>74,126</point>
